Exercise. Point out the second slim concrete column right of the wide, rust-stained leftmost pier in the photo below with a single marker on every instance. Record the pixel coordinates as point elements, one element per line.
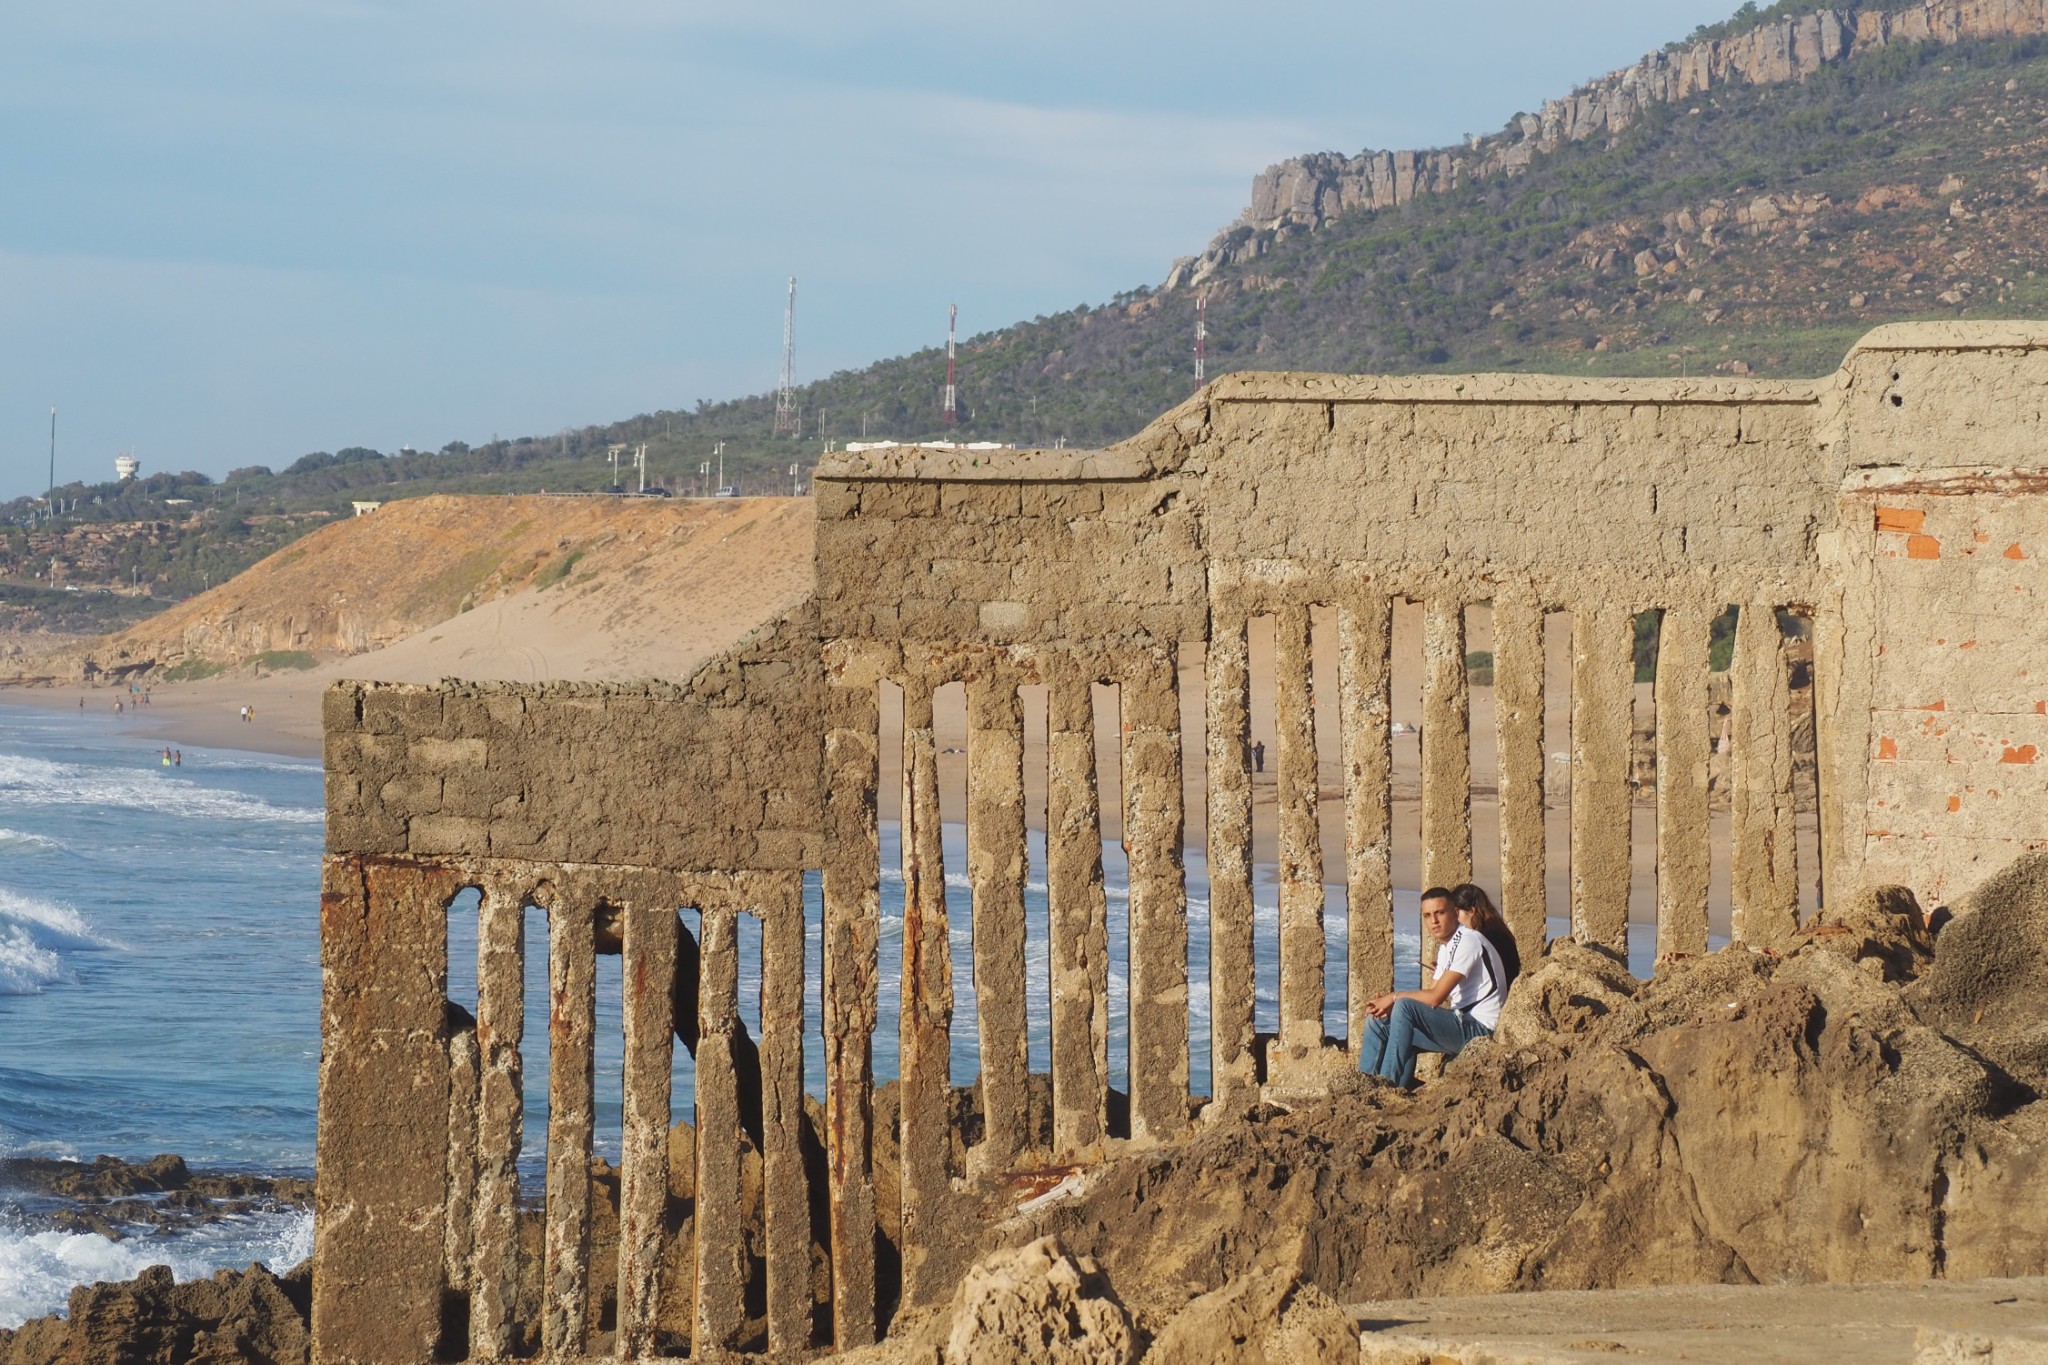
<point>572,973</point>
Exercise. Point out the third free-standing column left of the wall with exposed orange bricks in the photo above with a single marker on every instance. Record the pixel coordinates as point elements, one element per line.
<point>1603,721</point>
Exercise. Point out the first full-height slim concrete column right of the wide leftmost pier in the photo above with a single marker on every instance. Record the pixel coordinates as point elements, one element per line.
<point>501,1116</point>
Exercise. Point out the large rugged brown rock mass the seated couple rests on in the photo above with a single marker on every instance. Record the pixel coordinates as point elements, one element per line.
<point>1744,1118</point>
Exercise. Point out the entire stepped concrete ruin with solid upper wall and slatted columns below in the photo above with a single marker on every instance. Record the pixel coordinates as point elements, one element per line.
<point>1900,507</point>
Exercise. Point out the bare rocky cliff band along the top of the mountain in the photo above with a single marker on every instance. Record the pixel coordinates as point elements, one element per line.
<point>1308,191</point>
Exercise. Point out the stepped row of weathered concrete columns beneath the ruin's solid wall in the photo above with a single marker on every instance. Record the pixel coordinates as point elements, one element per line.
<point>476,1247</point>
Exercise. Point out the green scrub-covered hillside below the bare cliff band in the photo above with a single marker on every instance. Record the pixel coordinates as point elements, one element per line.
<point>1748,232</point>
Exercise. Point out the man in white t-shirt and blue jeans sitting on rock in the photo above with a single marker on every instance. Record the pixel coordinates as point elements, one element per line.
<point>1461,1004</point>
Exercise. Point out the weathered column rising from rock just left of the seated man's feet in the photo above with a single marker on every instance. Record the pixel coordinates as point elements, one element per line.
<point>1302,844</point>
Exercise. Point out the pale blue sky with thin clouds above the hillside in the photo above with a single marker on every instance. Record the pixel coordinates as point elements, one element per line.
<point>234,232</point>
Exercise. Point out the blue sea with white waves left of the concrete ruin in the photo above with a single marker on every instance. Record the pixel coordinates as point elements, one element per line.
<point>159,983</point>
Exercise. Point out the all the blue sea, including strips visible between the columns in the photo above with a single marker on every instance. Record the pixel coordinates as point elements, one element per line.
<point>161,983</point>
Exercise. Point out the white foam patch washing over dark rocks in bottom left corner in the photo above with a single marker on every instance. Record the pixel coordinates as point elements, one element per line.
<point>38,1270</point>
